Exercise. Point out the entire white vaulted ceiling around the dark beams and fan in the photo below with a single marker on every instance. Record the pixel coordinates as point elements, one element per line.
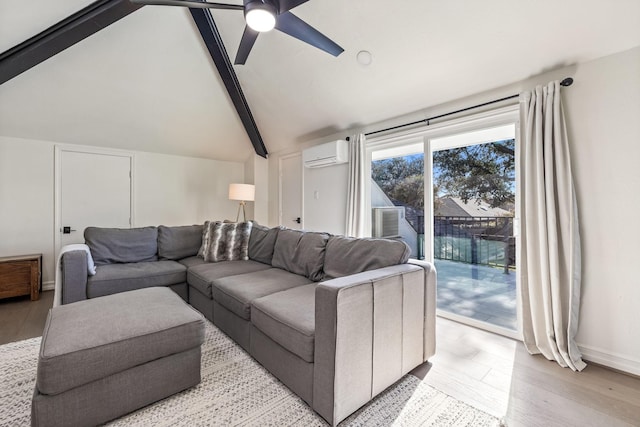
<point>147,83</point>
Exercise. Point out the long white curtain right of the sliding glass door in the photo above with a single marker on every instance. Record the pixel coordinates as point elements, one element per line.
<point>551,261</point>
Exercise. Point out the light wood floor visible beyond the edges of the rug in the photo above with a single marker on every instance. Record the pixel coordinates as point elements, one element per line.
<point>487,371</point>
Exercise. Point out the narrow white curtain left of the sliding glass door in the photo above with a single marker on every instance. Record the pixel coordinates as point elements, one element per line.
<point>355,189</point>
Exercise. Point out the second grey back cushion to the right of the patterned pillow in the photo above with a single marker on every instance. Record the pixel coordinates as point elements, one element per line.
<point>300,252</point>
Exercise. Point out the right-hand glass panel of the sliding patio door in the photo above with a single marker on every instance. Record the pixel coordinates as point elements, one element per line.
<point>474,240</point>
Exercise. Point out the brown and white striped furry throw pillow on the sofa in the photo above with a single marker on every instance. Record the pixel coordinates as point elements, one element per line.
<point>228,241</point>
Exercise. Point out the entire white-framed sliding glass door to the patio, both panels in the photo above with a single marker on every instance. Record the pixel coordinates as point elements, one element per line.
<point>450,192</point>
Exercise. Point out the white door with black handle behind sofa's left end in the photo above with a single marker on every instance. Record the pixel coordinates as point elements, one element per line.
<point>93,190</point>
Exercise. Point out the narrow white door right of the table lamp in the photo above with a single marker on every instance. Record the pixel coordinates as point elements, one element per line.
<point>291,191</point>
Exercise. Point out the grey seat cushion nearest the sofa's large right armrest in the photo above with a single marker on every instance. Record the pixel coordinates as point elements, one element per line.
<point>288,318</point>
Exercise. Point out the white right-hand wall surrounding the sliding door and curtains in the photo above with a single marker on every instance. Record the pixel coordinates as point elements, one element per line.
<point>602,108</point>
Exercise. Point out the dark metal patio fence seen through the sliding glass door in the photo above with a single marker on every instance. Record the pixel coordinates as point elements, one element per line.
<point>475,240</point>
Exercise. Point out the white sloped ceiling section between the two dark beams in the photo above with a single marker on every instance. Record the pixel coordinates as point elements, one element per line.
<point>144,83</point>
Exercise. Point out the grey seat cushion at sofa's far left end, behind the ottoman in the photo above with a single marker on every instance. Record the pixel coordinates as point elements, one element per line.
<point>114,278</point>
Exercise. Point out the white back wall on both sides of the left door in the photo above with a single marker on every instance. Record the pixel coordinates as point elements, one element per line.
<point>170,190</point>
